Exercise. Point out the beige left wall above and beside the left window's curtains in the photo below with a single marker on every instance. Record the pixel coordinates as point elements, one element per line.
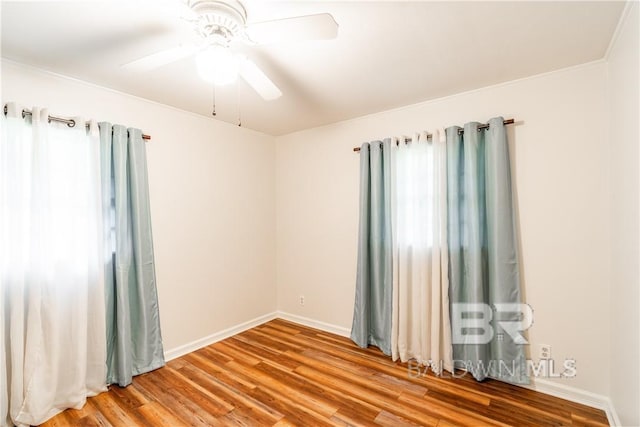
<point>212,202</point>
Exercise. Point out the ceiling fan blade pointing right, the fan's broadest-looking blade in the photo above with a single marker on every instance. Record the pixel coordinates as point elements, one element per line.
<point>311,27</point>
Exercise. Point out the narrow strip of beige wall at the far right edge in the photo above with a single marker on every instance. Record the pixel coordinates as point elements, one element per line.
<point>624,95</point>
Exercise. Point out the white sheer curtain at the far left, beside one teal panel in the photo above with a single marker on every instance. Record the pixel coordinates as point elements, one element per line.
<point>52,311</point>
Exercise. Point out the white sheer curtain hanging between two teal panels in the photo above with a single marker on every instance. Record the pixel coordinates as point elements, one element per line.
<point>420,323</point>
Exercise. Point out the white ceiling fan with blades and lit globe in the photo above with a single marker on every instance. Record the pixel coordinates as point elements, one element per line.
<point>221,25</point>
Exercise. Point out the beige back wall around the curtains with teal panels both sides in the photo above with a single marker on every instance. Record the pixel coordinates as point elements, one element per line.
<point>562,180</point>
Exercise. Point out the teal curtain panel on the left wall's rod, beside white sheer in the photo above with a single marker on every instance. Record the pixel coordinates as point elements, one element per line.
<point>134,340</point>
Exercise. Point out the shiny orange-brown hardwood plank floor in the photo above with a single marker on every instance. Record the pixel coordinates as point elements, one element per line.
<point>284,374</point>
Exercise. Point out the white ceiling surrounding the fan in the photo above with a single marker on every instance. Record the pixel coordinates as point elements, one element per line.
<point>387,54</point>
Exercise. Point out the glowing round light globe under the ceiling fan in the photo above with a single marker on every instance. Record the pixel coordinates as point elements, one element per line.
<point>216,64</point>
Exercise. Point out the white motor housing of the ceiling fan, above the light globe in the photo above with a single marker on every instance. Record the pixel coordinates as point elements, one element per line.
<point>219,21</point>
